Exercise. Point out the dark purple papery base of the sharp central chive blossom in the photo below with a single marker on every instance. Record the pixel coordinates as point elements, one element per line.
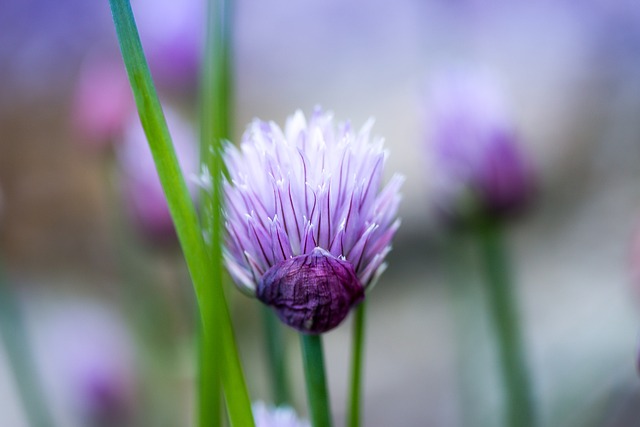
<point>311,293</point>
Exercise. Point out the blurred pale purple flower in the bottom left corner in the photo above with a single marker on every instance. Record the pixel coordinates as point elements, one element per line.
<point>88,362</point>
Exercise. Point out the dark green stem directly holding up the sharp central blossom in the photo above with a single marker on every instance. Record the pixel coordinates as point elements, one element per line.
<point>317,395</point>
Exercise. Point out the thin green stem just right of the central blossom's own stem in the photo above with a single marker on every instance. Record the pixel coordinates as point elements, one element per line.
<point>355,406</point>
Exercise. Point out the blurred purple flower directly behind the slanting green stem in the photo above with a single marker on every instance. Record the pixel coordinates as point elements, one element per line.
<point>143,193</point>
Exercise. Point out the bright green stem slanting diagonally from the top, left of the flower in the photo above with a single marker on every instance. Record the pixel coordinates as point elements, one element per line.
<point>218,341</point>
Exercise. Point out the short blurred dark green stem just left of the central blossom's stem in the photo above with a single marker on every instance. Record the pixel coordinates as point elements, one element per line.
<point>277,355</point>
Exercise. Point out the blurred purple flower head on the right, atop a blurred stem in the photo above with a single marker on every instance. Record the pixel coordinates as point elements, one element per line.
<point>479,168</point>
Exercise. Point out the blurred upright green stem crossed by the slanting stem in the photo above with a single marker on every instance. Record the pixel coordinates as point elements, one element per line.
<point>215,127</point>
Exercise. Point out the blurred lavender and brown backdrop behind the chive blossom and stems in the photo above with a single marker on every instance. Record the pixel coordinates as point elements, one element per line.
<point>104,292</point>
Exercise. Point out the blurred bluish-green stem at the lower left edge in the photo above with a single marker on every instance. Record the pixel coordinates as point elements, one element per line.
<point>20,357</point>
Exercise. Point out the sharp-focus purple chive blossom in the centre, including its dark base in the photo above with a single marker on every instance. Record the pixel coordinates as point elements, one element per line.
<point>308,223</point>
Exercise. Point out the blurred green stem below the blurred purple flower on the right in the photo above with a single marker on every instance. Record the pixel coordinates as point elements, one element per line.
<point>506,322</point>
